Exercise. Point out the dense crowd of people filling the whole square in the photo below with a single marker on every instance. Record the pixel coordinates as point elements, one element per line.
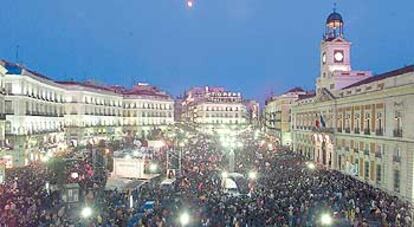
<point>285,193</point>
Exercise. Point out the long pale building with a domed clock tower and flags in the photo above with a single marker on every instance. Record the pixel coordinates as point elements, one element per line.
<point>357,123</point>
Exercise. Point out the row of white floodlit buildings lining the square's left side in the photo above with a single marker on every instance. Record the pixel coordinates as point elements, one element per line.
<point>40,116</point>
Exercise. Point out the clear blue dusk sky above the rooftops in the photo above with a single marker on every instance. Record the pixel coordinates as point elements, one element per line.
<point>253,46</point>
